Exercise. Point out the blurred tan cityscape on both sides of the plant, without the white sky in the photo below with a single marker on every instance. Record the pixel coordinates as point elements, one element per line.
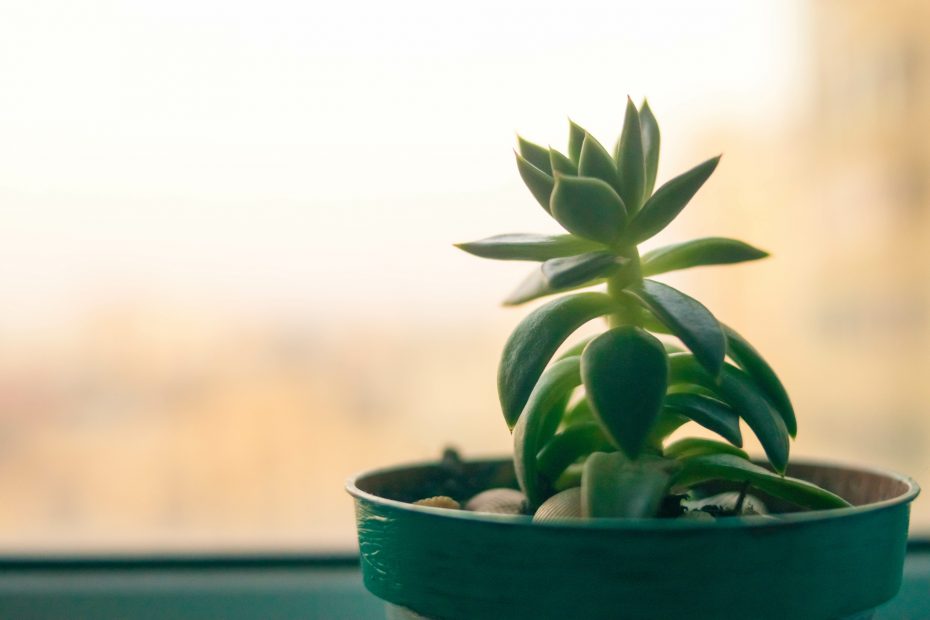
<point>139,425</point>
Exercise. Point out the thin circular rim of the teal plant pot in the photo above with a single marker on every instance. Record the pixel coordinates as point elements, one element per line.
<point>783,520</point>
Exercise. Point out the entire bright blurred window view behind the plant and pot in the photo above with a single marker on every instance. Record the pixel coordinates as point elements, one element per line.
<point>226,229</point>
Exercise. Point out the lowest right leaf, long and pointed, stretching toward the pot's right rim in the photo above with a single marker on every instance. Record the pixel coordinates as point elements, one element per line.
<point>736,469</point>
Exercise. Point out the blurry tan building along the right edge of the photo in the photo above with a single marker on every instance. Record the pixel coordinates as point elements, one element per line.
<point>870,244</point>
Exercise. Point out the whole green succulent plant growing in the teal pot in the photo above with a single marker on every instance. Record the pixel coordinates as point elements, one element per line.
<point>599,417</point>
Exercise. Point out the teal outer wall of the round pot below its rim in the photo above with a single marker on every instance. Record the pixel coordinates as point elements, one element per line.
<point>450,564</point>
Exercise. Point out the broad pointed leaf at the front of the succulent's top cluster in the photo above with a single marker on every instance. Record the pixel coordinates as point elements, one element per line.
<point>589,208</point>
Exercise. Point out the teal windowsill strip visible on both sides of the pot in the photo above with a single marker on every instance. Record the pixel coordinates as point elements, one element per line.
<point>296,592</point>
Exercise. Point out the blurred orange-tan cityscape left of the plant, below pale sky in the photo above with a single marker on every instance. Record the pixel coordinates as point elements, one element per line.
<point>176,432</point>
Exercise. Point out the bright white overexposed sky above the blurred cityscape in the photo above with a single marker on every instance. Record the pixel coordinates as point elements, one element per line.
<point>320,157</point>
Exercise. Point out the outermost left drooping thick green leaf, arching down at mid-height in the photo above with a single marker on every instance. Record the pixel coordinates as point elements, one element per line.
<point>536,339</point>
